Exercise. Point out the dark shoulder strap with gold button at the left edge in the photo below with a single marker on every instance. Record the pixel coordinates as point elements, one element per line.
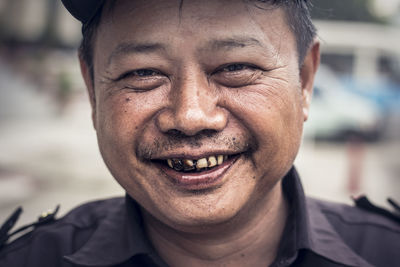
<point>5,234</point>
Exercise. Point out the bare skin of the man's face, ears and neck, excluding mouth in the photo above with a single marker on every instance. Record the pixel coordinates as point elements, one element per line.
<point>211,77</point>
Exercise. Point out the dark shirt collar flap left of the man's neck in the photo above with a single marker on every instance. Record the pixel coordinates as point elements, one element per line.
<point>118,237</point>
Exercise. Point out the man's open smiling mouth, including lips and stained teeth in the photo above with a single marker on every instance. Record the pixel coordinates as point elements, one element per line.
<point>197,174</point>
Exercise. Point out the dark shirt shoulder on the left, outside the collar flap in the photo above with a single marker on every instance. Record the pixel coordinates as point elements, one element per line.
<point>45,244</point>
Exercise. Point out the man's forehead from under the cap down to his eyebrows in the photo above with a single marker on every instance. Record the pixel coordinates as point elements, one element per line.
<point>187,27</point>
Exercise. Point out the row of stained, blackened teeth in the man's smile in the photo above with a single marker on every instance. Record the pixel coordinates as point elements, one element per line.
<point>189,165</point>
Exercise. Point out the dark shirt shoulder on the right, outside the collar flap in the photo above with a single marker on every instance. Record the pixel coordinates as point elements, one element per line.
<point>369,234</point>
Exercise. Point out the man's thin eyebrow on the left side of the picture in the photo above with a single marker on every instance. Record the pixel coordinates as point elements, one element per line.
<point>135,48</point>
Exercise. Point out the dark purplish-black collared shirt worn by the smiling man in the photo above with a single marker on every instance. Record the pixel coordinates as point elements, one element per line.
<point>111,233</point>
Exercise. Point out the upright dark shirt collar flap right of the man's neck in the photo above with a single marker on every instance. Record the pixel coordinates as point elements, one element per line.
<point>307,228</point>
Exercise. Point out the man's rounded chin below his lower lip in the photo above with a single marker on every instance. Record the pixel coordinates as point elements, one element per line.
<point>197,211</point>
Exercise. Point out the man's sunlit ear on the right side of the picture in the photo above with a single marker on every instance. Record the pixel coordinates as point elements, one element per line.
<point>307,75</point>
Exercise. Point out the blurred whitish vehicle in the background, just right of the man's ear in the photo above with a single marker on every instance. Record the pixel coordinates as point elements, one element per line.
<point>337,114</point>
